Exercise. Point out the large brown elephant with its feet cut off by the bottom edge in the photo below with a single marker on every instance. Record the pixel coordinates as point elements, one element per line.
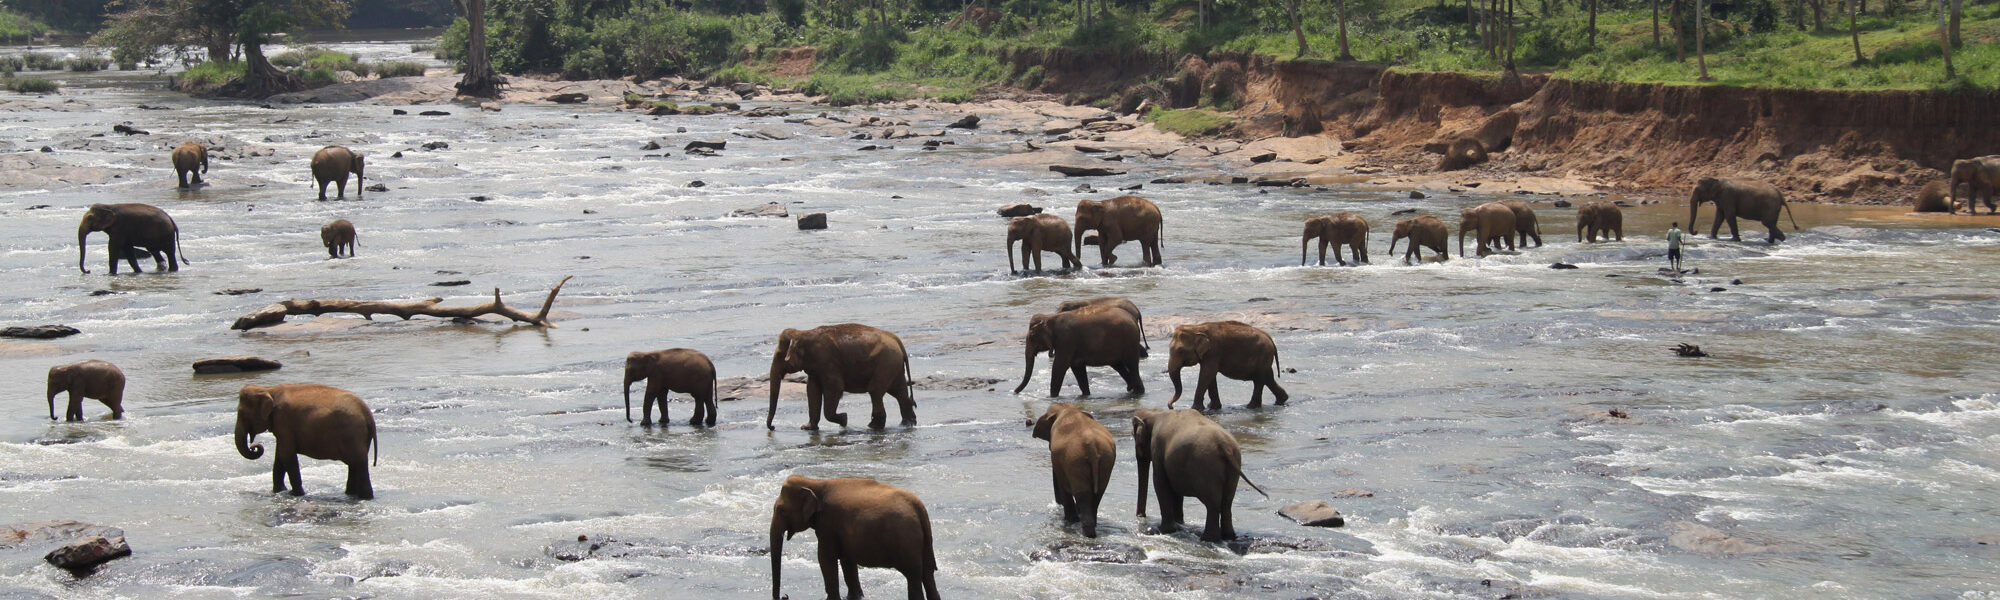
<point>859,523</point>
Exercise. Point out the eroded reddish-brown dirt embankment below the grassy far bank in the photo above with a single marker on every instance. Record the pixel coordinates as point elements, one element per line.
<point>1817,145</point>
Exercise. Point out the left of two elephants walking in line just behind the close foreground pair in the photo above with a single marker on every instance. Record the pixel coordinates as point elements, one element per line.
<point>1087,337</point>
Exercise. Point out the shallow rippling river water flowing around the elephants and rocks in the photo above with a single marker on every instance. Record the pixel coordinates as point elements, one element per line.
<point>1835,445</point>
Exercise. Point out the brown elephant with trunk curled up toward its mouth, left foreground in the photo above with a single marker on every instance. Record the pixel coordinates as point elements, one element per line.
<point>315,421</point>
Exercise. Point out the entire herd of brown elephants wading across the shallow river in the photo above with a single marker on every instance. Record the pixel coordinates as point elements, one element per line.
<point>865,523</point>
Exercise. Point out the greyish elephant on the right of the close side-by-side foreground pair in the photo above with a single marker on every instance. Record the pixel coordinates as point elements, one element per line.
<point>1197,459</point>
